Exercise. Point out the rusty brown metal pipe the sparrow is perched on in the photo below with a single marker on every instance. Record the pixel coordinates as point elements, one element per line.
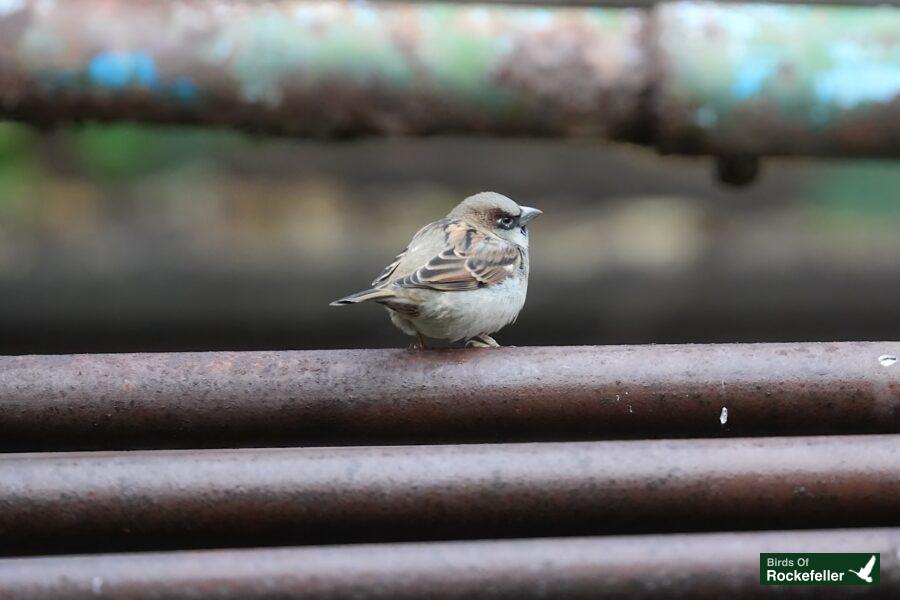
<point>119,401</point>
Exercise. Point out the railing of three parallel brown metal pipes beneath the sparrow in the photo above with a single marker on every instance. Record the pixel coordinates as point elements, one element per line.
<point>424,519</point>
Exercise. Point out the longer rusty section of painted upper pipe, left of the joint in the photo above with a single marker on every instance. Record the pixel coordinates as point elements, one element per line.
<point>325,68</point>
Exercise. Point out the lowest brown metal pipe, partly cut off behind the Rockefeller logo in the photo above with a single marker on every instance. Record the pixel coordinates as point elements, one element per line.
<point>669,566</point>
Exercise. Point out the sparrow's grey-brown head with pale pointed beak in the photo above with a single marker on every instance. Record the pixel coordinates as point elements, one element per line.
<point>498,214</point>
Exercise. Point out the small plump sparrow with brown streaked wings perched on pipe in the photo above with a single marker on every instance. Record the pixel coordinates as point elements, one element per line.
<point>463,277</point>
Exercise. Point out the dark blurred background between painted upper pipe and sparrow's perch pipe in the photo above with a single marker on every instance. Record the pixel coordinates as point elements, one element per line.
<point>128,238</point>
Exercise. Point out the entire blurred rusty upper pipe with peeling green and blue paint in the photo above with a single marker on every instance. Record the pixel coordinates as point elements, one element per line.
<point>732,80</point>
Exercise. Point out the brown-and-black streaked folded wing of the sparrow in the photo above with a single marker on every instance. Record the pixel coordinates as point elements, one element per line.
<point>470,259</point>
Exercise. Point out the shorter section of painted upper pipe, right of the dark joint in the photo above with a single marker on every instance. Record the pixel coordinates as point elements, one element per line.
<point>757,79</point>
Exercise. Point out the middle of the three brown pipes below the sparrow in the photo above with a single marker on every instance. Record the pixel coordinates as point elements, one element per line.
<point>166,499</point>
